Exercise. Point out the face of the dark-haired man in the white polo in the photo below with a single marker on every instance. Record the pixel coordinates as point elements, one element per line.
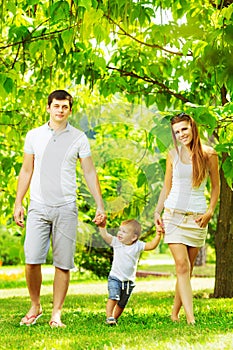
<point>59,111</point>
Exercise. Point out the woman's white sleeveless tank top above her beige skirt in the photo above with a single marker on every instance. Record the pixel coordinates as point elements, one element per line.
<point>182,195</point>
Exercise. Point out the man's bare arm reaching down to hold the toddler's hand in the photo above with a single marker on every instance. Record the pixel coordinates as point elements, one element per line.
<point>94,188</point>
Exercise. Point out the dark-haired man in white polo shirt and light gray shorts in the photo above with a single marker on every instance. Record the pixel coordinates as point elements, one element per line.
<point>49,168</point>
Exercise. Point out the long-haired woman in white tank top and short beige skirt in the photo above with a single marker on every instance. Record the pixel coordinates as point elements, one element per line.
<point>186,215</point>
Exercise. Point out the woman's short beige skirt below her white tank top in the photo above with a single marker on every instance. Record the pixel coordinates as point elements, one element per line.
<point>181,228</point>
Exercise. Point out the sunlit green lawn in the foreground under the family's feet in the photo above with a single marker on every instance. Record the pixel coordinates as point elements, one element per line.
<point>145,324</point>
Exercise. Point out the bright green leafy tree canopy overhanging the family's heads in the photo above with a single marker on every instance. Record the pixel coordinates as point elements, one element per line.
<point>166,56</point>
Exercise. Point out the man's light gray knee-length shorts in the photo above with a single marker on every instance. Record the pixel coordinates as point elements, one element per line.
<point>44,221</point>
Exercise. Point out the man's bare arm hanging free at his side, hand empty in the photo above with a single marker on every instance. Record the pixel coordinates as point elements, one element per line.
<point>24,180</point>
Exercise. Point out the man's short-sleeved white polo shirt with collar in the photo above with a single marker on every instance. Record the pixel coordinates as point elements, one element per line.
<point>55,158</point>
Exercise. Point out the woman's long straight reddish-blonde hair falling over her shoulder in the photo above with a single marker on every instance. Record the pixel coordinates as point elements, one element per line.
<point>199,157</point>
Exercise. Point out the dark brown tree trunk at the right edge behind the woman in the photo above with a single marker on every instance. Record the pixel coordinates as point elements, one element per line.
<point>224,242</point>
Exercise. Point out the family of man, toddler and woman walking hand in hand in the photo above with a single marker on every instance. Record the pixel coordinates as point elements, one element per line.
<point>51,152</point>
